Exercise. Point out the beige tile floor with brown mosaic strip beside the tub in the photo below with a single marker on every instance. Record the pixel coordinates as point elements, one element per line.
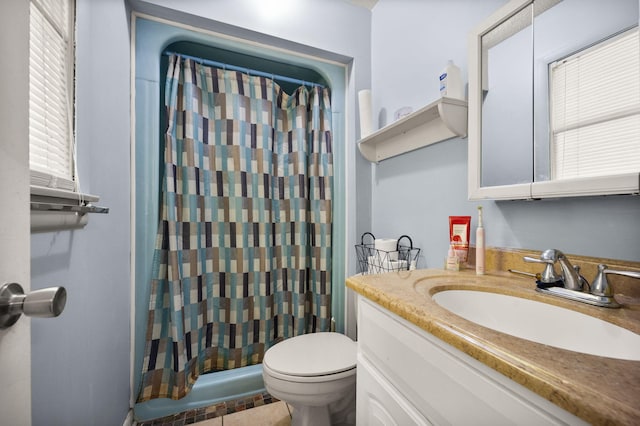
<point>261,409</point>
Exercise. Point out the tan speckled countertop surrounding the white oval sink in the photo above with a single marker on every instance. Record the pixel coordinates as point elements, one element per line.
<point>597,389</point>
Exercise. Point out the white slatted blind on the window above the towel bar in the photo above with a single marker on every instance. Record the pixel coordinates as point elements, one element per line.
<point>51,56</point>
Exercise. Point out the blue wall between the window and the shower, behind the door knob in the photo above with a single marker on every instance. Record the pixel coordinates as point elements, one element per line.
<point>80,360</point>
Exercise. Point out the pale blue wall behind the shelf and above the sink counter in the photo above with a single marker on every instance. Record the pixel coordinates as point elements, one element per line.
<point>416,192</point>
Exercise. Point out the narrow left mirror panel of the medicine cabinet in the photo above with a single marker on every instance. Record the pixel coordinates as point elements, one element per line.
<point>507,73</point>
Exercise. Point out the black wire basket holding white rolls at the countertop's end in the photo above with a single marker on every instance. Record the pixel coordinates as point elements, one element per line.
<point>376,261</point>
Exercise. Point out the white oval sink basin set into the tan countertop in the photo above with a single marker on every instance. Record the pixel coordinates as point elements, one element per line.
<point>542,323</point>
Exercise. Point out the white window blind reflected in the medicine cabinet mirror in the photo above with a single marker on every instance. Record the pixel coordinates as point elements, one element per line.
<point>595,109</point>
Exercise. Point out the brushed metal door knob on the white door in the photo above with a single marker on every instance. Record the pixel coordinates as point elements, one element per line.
<point>45,303</point>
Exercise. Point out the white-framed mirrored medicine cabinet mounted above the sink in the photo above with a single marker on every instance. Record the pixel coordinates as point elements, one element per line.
<point>554,100</point>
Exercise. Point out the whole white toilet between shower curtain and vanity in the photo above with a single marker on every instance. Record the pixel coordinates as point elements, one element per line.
<point>316,375</point>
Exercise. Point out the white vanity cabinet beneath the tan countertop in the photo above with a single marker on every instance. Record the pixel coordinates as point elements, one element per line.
<point>408,376</point>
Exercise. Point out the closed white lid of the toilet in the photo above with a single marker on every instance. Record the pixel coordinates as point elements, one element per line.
<point>315,354</point>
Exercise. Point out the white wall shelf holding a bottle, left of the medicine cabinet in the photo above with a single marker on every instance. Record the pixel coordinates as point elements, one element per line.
<point>440,120</point>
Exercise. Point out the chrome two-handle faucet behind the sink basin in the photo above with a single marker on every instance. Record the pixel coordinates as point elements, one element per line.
<point>571,285</point>
